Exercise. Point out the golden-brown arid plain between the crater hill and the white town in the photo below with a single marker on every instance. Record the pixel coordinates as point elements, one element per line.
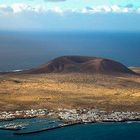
<point>70,90</point>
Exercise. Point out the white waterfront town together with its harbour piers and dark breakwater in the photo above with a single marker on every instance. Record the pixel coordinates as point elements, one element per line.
<point>67,117</point>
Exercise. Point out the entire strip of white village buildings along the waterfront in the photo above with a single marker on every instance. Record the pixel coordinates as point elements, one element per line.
<point>73,115</point>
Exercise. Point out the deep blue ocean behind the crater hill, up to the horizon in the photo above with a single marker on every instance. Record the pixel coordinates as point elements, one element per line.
<point>25,50</point>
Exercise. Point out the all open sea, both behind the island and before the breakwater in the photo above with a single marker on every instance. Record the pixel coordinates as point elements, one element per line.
<point>24,50</point>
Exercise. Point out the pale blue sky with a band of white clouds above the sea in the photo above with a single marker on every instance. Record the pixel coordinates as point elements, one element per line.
<point>70,15</point>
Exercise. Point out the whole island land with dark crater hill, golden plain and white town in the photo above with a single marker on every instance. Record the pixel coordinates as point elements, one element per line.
<point>72,88</point>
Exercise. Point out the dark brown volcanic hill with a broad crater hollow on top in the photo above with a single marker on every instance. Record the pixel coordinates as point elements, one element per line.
<point>83,64</point>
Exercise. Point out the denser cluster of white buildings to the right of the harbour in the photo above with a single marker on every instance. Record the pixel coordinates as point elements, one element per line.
<point>94,115</point>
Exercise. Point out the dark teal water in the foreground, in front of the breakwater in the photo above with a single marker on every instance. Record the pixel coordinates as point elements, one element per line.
<point>102,131</point>
